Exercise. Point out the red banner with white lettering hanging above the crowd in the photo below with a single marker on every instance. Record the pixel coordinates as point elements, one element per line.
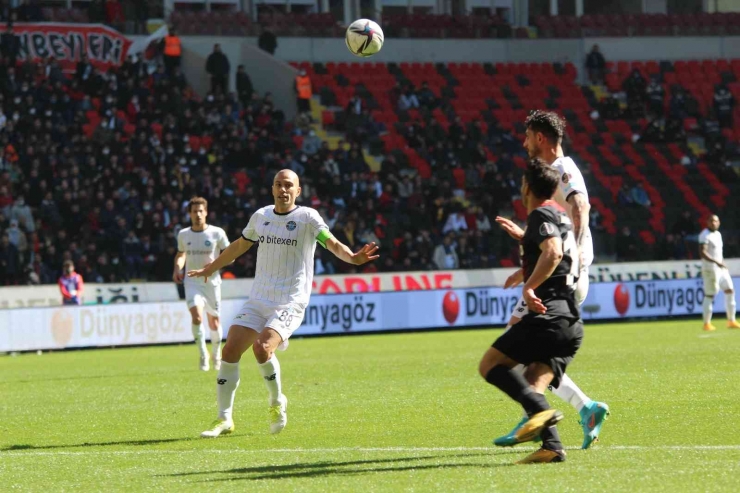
<point>105,47</point>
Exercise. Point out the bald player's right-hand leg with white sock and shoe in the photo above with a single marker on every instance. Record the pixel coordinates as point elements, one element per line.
<point>269,367</point>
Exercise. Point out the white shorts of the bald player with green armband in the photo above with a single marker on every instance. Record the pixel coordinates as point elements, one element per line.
<point>282,318</point>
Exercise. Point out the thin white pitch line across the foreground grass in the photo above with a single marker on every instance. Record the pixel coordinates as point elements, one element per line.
<point>21,453</point>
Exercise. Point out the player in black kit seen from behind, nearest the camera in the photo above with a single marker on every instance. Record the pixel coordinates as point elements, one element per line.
<point>547,338</point>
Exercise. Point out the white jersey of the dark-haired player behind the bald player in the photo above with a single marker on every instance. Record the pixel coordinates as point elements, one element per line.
<point>201,248</point>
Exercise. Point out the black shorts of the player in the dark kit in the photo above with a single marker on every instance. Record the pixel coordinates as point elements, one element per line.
<point>553,341</point>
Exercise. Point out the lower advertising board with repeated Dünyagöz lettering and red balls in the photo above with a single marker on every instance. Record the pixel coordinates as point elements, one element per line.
<point>28,329</point>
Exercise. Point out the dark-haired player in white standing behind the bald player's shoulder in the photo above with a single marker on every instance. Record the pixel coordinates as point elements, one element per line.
<point>198,246</point>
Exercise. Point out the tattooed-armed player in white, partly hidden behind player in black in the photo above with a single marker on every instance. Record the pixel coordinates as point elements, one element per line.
<point>543,140</point>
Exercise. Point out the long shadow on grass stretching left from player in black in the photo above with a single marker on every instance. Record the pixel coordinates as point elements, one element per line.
<point>347,468</point>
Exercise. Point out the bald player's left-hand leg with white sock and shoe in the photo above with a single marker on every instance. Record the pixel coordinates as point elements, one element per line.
<point>237,342</point>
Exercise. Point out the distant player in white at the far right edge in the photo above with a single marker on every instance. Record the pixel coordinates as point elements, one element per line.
<point>715,274</point>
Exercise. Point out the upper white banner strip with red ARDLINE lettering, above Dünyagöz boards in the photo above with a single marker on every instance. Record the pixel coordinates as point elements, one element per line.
<point>143,292</point>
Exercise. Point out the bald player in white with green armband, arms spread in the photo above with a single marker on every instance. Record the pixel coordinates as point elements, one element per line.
<point>287,235</point>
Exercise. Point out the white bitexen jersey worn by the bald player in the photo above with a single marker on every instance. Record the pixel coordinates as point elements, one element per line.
<point>287,243</point>
